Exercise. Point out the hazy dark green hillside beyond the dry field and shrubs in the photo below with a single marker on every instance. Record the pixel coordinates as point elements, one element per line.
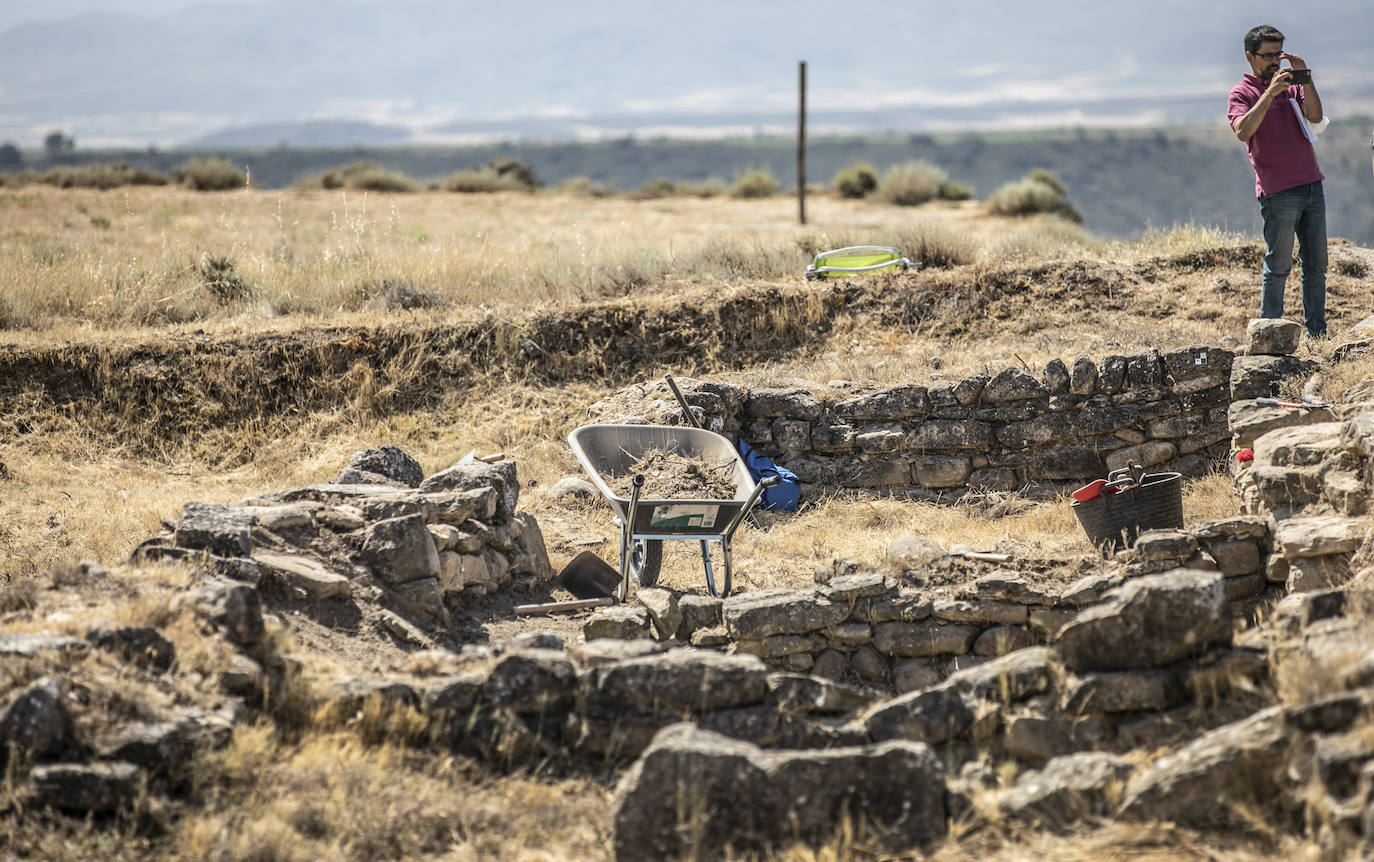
<point>1125,181</point>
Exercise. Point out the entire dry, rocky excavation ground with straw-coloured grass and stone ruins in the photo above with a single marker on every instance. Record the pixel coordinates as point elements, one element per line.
<point>259,606</point>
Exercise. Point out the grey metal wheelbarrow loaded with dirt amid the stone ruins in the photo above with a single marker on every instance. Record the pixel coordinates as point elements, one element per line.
<point>611,452</point>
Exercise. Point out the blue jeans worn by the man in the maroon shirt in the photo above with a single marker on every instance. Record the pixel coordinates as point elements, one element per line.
<point>1296,212</point>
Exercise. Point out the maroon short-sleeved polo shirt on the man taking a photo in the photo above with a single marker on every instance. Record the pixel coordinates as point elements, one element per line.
<point>1280,152</point>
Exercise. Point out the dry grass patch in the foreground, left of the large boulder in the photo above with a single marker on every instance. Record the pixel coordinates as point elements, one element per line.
<point>333,798</point>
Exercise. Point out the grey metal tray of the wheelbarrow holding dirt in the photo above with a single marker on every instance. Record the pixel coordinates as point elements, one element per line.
<point>609,452</point>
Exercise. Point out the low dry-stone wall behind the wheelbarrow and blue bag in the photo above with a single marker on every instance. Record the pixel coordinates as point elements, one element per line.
<point>1002,431</point>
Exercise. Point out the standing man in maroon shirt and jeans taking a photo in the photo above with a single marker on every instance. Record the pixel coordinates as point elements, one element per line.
<point>1266,111</point>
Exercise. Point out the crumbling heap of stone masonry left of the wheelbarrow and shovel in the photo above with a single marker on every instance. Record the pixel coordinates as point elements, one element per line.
<point>380,533</point>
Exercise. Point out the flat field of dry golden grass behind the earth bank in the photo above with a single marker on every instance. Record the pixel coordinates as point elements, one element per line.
<point>75,261</point>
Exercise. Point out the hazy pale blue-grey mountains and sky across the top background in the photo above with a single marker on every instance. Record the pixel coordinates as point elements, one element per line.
<point>376,72</point>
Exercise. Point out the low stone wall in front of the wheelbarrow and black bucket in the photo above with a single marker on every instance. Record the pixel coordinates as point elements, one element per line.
<point>872,630</point>
